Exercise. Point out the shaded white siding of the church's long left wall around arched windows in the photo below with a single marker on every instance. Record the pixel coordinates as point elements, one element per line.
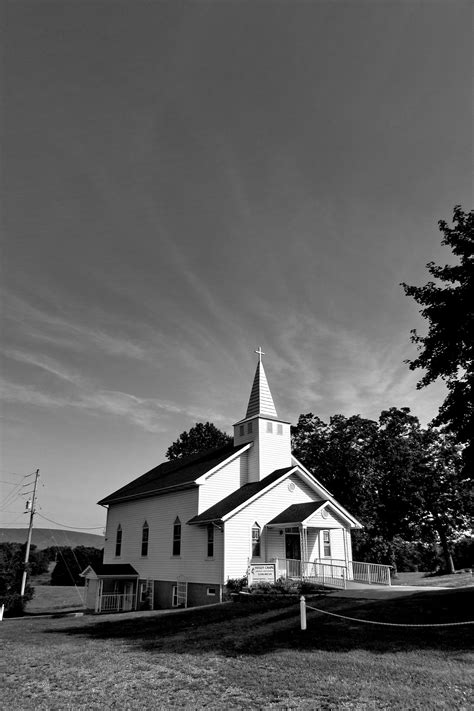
<point>160,513</point>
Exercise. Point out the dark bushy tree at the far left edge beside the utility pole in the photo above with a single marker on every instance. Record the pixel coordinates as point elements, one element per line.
<point>12,556</point>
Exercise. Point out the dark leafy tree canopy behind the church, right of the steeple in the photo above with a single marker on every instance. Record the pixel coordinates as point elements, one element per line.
<point>403,482</point>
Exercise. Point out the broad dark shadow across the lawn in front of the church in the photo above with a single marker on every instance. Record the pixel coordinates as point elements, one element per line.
<point>265,626</point>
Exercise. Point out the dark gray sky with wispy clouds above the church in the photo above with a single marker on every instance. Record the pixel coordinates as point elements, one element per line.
<point>185,181</point>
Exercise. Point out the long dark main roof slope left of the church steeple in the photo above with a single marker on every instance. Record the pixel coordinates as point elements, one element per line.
<point>177,474</point>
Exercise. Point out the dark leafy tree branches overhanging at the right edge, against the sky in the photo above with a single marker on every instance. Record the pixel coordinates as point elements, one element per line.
<point>447,351</point>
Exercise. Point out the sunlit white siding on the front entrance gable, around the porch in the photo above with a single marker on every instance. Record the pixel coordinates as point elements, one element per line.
<point>238,528</point>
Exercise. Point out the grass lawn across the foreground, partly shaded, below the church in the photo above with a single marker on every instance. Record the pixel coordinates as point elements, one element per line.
<point>238,656</point>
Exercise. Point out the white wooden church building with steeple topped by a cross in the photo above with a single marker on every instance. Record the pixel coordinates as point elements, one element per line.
<point>175,535</point>
